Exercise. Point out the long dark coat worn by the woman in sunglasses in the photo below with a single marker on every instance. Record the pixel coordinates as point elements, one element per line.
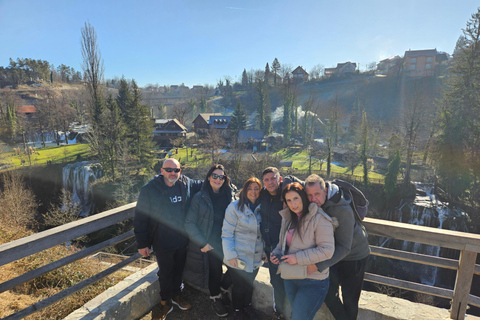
<point>198,225</point>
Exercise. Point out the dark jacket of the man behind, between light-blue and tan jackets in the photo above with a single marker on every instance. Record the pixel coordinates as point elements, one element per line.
<point>269,208</point>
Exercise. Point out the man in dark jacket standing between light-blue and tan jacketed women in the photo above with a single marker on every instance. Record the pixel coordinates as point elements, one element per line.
<point>270,204</point>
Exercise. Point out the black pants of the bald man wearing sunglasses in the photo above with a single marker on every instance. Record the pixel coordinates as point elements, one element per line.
<point>170,269</point>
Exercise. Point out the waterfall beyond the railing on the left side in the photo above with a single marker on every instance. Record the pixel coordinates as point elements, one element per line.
<point>77,178</point>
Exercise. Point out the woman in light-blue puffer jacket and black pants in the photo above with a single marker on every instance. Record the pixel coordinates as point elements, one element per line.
<point>243,247</point>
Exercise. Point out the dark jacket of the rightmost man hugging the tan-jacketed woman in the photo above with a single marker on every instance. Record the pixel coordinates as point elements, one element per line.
<point>351,238</point>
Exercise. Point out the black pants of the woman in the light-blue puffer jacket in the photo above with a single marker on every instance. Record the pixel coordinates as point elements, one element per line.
<point>242,289</point>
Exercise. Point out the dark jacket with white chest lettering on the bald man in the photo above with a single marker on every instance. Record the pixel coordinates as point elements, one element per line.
<point>156,220</point>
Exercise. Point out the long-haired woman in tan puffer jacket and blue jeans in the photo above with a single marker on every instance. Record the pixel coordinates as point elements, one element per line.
<point>306,237</point>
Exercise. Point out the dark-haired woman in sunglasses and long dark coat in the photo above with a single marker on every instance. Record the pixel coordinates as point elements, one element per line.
<point>203,224</point>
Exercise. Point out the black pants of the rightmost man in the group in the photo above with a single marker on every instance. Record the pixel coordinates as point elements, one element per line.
<point>348,275</point>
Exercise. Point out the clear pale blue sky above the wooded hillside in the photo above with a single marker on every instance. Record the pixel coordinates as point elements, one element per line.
<point>197,42</point>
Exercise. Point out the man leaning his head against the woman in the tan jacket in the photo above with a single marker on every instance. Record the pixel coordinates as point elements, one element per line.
<point>347,265</point>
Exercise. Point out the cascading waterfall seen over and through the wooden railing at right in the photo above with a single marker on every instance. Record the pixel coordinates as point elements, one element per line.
<point>424,210</point>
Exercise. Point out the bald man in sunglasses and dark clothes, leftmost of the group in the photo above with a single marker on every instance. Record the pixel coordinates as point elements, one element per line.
<point>159,221</point>
